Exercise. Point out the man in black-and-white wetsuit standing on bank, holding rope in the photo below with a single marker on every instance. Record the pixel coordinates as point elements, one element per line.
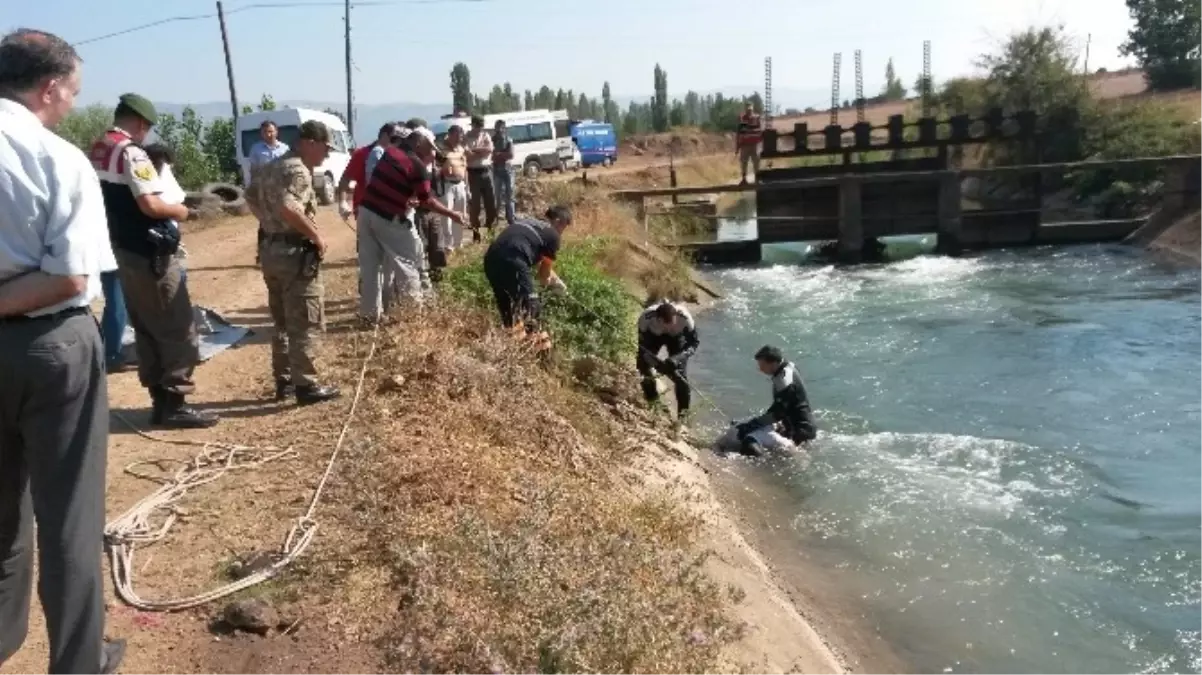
<point>667,326</point>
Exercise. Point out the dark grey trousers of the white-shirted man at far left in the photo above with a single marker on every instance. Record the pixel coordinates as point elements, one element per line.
<point>53,446</point>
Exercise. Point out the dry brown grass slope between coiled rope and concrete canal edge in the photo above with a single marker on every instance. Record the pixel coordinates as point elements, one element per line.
<point>486,501</point>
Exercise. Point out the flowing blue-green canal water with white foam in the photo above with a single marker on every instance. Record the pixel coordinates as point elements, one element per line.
<point>1010,475</point>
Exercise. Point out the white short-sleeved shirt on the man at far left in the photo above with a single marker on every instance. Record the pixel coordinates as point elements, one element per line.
<point>52,213</point>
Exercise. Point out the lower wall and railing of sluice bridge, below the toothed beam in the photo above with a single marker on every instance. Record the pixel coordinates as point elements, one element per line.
<point>849,205</point>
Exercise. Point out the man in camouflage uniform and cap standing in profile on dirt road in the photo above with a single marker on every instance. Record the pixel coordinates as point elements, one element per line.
<point>282,198</point>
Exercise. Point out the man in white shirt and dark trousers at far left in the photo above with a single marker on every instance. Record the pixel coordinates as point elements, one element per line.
<point>55,403</point>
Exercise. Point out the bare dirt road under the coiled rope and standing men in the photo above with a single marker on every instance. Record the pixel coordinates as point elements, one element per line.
<point>237,386</point>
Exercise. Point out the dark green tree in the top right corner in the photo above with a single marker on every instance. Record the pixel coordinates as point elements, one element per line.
<point>1167,40</point>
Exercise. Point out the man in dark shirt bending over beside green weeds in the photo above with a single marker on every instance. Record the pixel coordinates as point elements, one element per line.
<point>514,255</point>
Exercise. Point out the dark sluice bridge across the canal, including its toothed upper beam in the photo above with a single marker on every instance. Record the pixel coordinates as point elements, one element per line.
<point>917,190</point>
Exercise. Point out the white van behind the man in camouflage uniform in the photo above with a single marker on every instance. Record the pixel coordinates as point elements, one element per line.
<point>289,121</point>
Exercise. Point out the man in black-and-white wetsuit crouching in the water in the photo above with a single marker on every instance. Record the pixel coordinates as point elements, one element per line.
<point>790,405</point>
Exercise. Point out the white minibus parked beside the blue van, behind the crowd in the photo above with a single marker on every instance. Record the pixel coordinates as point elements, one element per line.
<point>542,139</point>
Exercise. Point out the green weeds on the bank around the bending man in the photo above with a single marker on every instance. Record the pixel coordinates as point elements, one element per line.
<point>596,319</point>
